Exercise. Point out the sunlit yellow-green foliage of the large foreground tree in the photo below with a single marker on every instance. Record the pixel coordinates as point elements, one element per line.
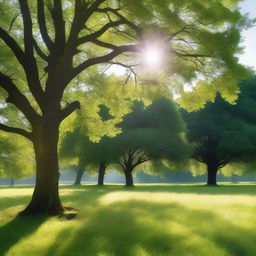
<point>201,39</point>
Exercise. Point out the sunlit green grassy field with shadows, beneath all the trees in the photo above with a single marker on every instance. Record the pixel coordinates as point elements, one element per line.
<point>146,220</point>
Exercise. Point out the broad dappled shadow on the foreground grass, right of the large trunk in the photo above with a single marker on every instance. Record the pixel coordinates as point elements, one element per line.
<point>137,228</point>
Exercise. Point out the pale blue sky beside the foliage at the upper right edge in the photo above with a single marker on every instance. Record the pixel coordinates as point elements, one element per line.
<point>249,36</point>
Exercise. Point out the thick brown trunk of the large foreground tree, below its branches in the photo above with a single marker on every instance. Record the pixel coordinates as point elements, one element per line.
<point>45,199</point>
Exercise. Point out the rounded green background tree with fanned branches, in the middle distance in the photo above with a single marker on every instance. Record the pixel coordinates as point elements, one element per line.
<point>150,133</point>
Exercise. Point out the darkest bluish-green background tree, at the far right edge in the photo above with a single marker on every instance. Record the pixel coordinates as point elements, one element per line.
<point>224,134</point>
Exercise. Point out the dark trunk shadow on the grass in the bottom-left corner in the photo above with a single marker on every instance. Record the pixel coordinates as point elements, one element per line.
<point>17,229</point>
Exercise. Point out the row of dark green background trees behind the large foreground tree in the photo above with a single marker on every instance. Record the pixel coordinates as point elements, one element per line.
<point>218,136</point>
